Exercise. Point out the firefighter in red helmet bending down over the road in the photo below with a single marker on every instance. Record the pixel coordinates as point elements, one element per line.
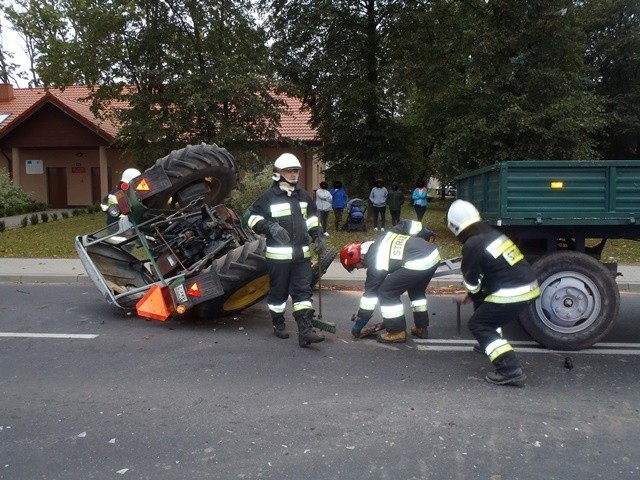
<point>396,263</point>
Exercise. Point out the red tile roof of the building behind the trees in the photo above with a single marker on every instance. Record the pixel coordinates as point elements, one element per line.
<point>26,101</point>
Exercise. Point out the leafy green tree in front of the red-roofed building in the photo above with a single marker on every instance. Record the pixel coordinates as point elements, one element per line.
<point>188,71</point>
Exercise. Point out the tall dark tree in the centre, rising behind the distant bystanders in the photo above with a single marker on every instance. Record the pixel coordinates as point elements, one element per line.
<point>338,57</point>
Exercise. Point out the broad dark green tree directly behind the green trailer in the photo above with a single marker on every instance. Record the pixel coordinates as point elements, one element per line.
<point>503,79</point>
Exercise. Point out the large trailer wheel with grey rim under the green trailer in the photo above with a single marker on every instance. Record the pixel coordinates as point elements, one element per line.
<point>578,304</point>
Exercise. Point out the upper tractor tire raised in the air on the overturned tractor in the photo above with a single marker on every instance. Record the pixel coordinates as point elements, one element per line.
<point>195,171</point>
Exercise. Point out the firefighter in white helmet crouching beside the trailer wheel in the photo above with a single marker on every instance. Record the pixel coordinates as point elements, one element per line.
<point>499,281</point>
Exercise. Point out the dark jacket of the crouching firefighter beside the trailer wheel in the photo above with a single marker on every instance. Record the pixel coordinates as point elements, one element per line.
<point>494,269</point>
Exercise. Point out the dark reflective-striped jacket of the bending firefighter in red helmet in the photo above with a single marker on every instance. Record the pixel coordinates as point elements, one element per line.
<point>394,251</point>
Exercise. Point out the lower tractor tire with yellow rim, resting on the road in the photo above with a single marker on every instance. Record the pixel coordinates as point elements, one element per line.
<point>245,280</point>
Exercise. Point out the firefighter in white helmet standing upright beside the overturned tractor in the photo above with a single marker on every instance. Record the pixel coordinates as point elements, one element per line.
<point>286,215</point>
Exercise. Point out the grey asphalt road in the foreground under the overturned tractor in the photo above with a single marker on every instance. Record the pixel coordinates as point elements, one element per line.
<point>121,397</point>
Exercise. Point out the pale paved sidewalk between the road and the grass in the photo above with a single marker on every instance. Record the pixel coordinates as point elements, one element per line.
<point>71,271</point>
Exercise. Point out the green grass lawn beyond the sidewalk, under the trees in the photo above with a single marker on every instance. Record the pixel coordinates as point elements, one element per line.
<point>55,239</point>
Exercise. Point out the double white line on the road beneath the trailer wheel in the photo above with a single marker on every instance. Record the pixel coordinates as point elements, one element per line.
<point>530,347</point>
